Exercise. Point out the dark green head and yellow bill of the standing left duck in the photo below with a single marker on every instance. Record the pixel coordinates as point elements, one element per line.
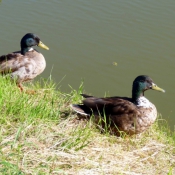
<point>30,40</point>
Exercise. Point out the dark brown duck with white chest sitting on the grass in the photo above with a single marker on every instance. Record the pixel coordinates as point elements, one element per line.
<point>129,115</point>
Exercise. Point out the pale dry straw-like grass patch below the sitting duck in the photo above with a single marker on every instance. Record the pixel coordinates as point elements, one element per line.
<point>75,147</point>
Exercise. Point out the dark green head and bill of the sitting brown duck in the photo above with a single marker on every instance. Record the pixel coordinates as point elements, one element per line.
<point>141,84</point>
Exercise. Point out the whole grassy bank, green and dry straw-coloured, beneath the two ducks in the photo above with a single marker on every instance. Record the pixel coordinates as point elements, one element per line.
<point>40,135</point>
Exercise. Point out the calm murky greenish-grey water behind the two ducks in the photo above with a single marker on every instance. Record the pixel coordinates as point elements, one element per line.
<point>86,37</point>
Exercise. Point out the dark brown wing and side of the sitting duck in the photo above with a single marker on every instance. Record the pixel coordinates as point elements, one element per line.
<point>120,110</point>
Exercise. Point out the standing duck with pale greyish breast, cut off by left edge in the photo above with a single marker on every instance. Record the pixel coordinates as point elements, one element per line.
<point>26,64</point>
